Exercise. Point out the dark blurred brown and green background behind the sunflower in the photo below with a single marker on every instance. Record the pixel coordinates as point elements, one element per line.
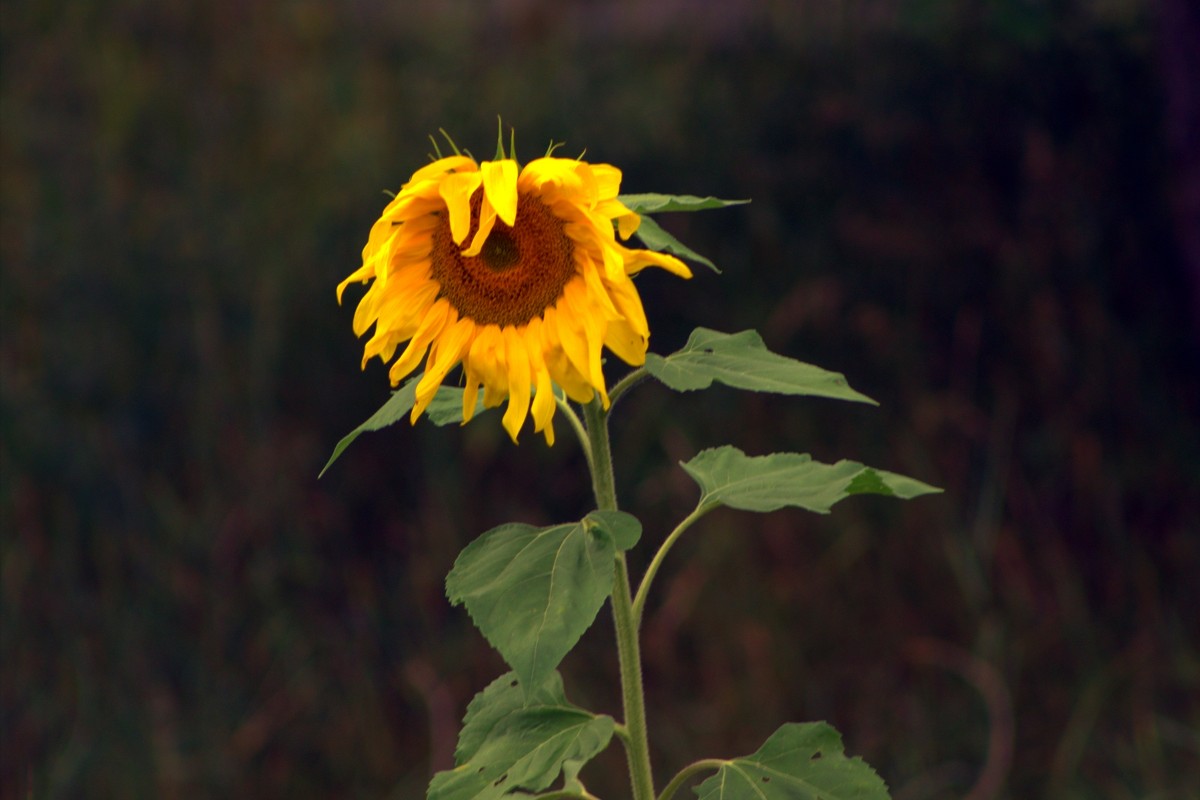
<point>982,212</point>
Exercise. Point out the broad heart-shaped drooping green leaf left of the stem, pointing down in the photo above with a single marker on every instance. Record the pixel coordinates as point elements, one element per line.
<point>533,592</point>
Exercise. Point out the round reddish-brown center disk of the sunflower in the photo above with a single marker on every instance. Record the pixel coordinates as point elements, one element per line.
<point>519,273</point>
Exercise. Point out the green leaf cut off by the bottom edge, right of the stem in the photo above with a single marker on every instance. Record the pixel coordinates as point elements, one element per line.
<point>800,762</point>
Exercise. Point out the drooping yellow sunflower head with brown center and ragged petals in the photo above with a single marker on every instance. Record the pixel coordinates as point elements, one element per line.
<point>518,275</point>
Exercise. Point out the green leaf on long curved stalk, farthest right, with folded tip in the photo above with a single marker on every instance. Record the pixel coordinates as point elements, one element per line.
<point>728,477</point>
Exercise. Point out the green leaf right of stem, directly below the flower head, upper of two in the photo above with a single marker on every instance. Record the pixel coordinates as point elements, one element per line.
<point>743,362</point>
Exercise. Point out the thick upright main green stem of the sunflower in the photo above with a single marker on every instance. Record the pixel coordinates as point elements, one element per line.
<point>638,747</point>
